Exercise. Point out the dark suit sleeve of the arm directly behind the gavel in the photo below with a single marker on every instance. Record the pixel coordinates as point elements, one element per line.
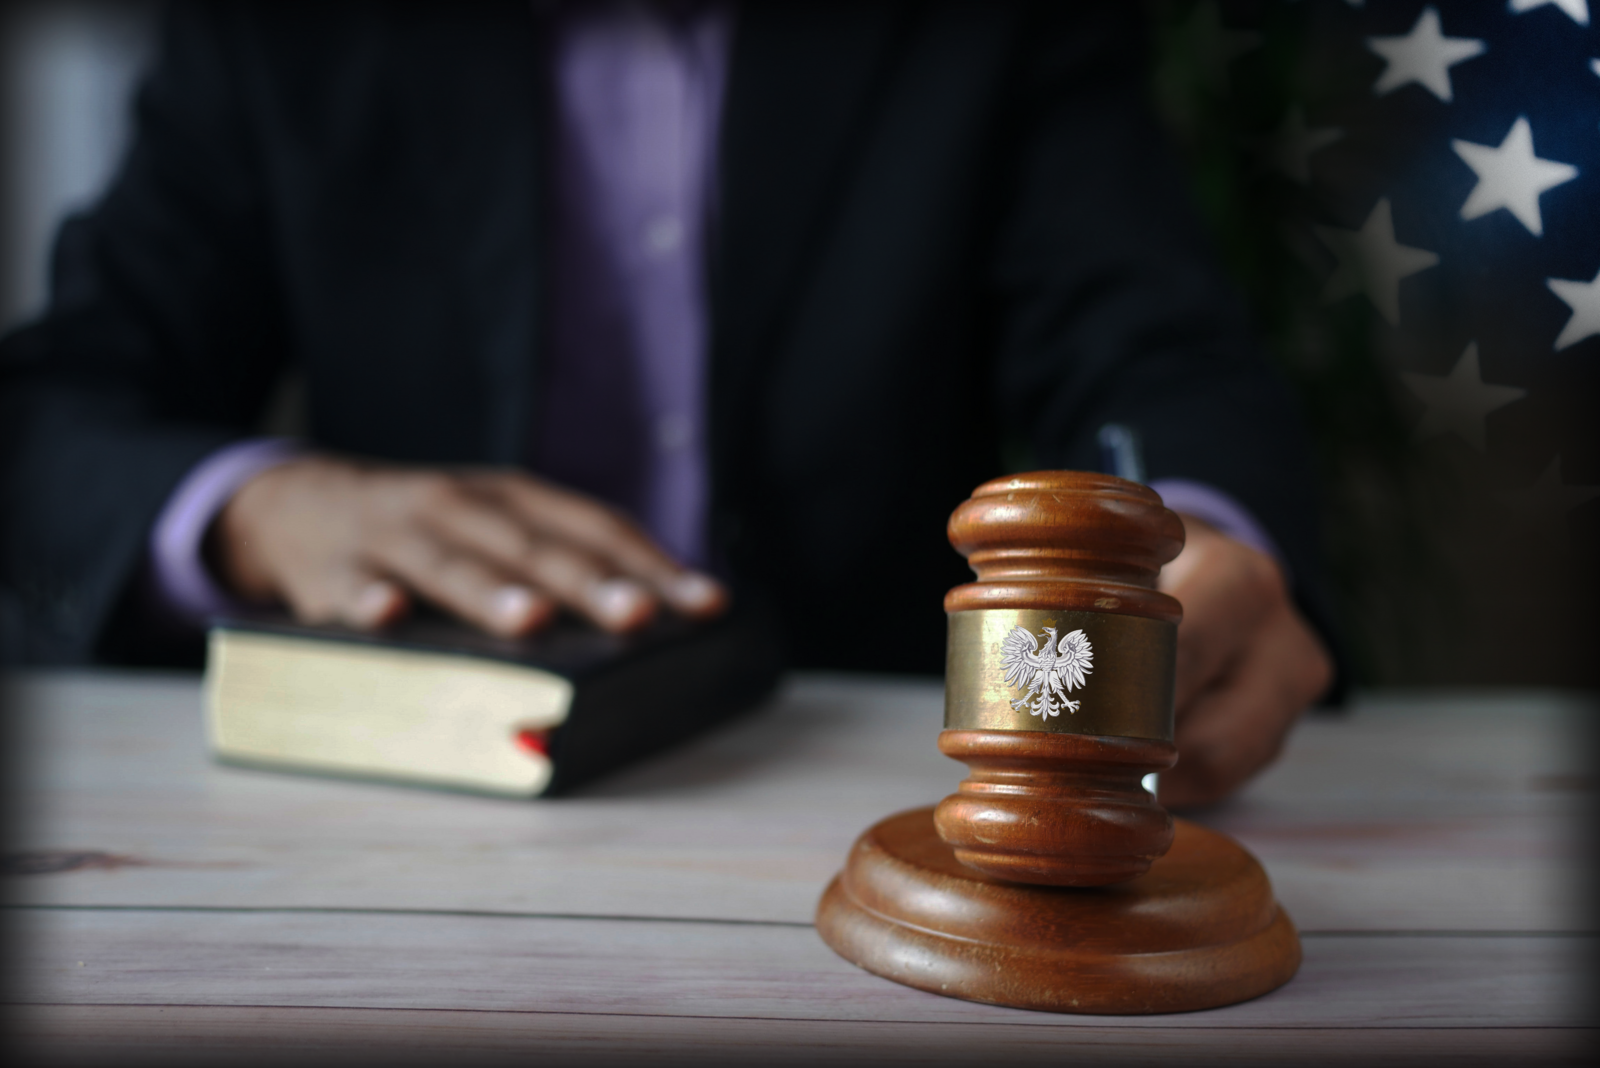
<point>1116,309</point>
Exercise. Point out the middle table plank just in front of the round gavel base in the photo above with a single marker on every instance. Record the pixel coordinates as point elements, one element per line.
<point>716,970</point>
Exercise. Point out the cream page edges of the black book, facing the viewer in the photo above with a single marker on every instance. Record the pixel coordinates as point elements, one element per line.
<point>367,711</point>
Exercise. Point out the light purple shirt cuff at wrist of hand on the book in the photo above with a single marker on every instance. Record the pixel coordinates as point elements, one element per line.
<point>182,584</point>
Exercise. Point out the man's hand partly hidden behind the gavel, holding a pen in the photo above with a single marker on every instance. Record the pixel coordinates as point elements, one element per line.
<point>1247,666</point>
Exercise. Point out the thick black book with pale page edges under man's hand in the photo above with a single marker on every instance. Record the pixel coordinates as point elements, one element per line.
<point>433,703</point>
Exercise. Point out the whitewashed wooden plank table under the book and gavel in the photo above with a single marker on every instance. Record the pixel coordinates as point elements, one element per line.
<point>1433,848</point>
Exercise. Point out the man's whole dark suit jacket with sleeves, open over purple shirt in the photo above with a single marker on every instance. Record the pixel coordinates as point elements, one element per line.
<point>950,244</point>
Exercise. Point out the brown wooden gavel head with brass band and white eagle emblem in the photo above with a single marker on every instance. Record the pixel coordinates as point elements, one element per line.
<point>1060,679</point>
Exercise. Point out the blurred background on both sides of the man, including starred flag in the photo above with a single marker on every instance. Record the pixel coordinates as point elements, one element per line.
<point>1409,194</point>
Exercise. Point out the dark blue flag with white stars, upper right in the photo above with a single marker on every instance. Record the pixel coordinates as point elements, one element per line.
<point>1460,196</point>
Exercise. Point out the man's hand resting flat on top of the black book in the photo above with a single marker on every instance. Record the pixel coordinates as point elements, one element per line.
<point>351,543</point>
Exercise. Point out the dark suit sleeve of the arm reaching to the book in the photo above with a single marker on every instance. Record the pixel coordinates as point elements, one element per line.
<point>162,337</point>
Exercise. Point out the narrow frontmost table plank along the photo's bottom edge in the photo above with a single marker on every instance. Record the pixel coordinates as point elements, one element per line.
<point>204,1035</point>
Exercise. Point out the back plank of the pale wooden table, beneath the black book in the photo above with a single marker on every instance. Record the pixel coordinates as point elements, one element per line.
<point>1415,813</point>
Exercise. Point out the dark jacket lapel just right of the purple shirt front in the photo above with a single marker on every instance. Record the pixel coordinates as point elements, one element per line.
<point>801,94</point>
